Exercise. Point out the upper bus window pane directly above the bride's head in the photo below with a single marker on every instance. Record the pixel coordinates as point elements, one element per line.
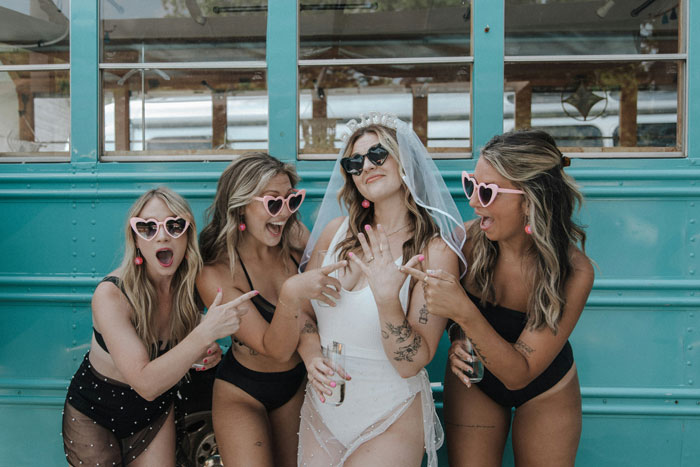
<point>386,29</point>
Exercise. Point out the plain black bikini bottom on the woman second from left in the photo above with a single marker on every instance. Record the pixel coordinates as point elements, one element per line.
<point>273,389</point>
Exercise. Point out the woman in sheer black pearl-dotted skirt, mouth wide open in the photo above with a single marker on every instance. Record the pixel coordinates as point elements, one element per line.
<point>119,407</point>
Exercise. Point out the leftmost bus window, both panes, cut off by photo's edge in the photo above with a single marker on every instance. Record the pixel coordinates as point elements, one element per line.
<point>34,79</point>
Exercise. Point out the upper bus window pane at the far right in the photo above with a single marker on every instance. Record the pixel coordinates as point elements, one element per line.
<point>585,27</point>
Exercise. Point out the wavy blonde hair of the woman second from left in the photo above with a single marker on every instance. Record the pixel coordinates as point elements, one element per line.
<point>243,179</point>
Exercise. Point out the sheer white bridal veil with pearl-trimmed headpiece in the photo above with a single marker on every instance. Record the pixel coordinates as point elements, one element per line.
<point>421,176</point>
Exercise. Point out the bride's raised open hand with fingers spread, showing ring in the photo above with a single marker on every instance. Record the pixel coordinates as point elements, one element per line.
<point>384,277</point>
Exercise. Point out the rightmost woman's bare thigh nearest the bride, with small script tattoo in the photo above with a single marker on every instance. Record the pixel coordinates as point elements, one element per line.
<point>476,427</point>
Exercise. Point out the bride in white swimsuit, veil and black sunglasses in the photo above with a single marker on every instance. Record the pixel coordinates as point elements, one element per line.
<point>389,206</point>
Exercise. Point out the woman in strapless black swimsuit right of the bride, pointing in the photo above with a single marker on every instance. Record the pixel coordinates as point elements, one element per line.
<point>526,286</point>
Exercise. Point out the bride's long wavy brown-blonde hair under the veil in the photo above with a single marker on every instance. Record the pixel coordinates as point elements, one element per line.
<point>420,222</point>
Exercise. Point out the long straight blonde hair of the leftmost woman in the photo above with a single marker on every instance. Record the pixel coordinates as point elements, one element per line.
<point>140,291</point>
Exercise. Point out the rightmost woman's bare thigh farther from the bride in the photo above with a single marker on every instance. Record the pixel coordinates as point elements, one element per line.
<point>547,428</point>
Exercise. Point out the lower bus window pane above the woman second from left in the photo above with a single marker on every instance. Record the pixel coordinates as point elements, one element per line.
<point>184,112</point>
